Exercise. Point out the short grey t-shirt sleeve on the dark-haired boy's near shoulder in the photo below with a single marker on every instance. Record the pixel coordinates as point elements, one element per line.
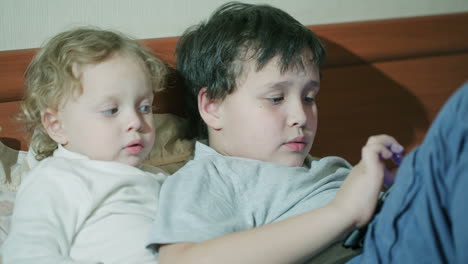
<point>196,203</point>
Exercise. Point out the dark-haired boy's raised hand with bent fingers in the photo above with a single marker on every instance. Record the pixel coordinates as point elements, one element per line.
<point>359,193</point>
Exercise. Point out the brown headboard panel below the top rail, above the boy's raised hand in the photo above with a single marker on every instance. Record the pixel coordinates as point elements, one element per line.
<point>400,98</point>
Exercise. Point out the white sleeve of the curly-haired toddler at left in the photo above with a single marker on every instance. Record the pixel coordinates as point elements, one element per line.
<point>46,216</point>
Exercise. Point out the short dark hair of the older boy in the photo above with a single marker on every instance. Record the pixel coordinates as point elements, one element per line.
<point>212,53</point>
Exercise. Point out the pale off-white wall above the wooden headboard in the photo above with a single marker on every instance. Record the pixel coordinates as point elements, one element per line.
<point>28,23</point>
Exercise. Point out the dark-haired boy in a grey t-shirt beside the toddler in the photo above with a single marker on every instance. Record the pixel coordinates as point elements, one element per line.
<point>251,195</point>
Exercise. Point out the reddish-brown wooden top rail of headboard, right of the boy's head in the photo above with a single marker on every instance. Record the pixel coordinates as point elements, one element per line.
<point>394,39</point>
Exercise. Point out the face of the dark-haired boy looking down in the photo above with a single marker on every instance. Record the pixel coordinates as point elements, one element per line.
<point>271,116</point>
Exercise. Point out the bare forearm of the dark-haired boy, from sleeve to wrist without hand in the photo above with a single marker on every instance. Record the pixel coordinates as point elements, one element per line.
<point>292,240</point>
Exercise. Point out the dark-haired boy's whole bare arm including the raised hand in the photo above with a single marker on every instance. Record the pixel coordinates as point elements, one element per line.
<point>301,237</point>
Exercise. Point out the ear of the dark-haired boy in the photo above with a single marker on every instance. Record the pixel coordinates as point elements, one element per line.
<point>209,110</point>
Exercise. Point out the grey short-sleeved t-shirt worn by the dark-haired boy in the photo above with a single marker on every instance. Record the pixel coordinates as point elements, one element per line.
<point>214,195</point>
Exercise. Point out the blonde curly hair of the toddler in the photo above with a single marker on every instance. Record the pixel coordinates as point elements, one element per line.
<point>50,79</point>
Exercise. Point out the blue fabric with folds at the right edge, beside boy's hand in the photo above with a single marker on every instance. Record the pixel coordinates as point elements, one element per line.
<point>425,217</point>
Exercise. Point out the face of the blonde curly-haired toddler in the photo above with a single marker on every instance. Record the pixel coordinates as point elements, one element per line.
<point>112,119</point>
